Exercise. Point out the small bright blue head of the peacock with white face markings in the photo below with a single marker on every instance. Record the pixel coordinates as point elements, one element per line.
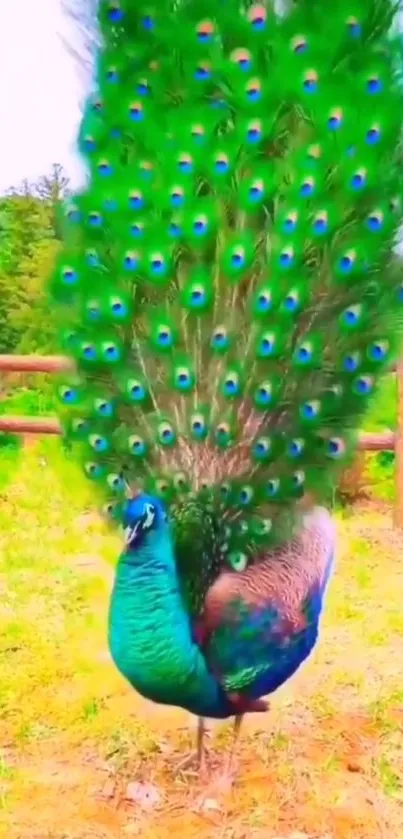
<point>143,516</point>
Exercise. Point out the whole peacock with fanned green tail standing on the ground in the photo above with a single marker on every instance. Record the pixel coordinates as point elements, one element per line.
<point>227,293</point>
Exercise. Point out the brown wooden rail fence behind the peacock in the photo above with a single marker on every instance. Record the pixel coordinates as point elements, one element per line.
<point>386,441</point>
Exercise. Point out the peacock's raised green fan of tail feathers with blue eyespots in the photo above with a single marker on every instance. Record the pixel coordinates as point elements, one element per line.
<point>225,280</point>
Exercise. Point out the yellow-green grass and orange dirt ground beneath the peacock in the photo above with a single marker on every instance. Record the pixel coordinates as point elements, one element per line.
<point>326,759</point>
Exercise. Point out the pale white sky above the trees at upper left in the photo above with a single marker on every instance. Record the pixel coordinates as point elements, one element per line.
<point>41,91</point>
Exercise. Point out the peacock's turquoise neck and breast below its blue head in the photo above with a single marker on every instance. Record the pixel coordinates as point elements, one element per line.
<point>150,634</point>
